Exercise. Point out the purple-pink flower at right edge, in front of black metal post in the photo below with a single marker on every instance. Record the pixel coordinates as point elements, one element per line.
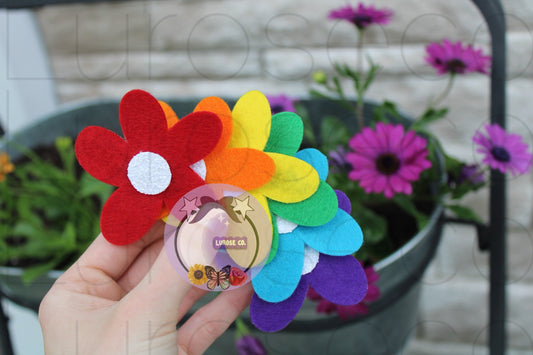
<point>503,151</point>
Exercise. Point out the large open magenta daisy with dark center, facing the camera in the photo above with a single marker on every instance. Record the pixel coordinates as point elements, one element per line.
<point>387,159</point>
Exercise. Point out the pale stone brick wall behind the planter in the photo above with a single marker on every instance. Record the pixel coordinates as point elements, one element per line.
<point>195,48</point>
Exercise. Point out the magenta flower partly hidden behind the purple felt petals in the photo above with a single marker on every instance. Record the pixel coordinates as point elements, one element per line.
<point>350,311</point>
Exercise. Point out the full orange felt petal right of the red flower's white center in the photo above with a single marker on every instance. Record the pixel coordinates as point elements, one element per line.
<point>242,167</point>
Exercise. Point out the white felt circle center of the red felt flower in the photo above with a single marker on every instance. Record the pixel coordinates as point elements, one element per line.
<point>149,173</point>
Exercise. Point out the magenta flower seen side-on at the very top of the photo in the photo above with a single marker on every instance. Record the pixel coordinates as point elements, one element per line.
<point>362,16</point>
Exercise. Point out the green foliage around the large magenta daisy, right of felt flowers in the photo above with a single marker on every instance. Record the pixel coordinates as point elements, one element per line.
<point>441,183</point>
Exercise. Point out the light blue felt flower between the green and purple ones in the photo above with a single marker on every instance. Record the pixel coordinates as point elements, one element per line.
<point>338,236</point>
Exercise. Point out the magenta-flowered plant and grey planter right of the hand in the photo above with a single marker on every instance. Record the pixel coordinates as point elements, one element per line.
<point>400,181</point>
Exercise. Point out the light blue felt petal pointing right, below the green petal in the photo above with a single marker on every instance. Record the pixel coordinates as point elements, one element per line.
<point>340,236</point>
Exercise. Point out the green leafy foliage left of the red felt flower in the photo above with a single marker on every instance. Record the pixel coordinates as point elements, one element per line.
<point>49,211</point>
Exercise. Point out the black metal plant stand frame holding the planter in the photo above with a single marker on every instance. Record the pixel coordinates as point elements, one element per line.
<point>493,240</point>
